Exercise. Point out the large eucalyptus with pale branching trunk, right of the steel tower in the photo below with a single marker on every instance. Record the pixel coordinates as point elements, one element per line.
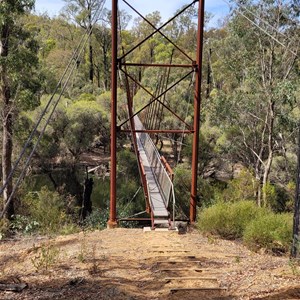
<point>256,75</point>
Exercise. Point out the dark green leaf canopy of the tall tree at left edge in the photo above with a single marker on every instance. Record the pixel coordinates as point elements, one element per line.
<point>21,62</point>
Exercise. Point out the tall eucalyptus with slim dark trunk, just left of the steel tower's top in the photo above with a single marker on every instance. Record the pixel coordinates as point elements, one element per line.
<point>85,13</point>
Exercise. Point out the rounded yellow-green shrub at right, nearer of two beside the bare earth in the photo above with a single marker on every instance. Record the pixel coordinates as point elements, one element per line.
<point>272,232</point>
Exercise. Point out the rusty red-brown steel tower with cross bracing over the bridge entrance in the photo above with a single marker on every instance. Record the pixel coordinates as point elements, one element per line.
<point>119,64</point>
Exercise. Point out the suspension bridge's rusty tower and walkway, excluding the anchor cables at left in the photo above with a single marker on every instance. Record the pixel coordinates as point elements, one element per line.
<point>156,174</point>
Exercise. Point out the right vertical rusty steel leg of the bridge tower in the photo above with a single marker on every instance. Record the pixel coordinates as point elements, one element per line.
<point>197,102</point>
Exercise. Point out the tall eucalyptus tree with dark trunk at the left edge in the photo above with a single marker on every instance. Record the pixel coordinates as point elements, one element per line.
<point>18,86</point>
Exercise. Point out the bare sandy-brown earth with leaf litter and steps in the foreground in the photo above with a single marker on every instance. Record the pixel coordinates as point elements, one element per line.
<point>132,264</point>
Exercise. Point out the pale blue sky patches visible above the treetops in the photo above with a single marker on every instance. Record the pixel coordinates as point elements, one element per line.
<point>167,8</point>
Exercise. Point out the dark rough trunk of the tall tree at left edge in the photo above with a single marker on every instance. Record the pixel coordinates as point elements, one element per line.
<point>7,145</point>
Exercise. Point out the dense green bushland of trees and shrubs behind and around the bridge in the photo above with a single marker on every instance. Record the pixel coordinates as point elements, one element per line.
<point>250,109</point>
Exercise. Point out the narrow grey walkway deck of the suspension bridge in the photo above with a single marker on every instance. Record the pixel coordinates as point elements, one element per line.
<point>156,199</point>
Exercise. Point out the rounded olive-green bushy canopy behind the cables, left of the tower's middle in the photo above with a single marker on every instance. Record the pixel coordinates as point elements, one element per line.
<point>74,128</point>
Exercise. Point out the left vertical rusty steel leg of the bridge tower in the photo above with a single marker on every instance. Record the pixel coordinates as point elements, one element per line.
<point>113,148</point>
